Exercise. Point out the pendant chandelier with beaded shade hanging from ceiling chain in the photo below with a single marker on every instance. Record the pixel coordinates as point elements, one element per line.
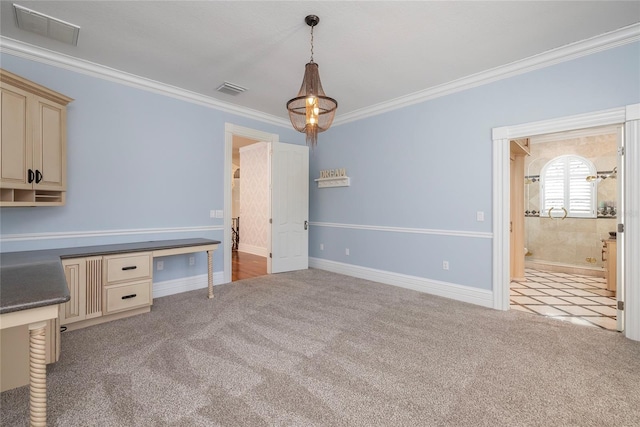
<point>311,111</point>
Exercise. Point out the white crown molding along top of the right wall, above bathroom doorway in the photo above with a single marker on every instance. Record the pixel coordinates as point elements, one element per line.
<point>569,52</point>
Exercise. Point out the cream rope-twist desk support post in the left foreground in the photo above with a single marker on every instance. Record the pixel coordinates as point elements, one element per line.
<point>37,375</point>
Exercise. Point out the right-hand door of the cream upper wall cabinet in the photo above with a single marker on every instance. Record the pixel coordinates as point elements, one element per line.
<point>49,147</point>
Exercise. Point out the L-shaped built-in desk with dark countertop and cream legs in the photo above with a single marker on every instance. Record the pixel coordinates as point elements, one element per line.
<point>33,285</point>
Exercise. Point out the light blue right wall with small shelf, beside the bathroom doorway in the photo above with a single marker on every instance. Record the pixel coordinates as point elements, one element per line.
<point>429,167</point>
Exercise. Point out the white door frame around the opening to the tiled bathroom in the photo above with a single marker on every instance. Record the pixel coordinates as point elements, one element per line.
<point>629,116</point>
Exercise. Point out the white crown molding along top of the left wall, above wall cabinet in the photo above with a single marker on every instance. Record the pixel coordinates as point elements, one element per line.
<point>49,57</point>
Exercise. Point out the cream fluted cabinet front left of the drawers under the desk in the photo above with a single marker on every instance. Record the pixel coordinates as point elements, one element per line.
<point>84,279</point>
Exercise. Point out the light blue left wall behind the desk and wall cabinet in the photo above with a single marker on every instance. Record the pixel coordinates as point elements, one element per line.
<point>137,160</point>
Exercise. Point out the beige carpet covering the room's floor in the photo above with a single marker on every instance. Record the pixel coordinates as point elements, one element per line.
<point>313,348</point>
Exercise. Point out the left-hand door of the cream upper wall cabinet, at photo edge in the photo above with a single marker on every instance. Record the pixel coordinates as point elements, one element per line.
<point>15,139</point>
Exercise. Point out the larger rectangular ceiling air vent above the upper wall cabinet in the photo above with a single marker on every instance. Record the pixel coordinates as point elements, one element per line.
<point>39,23</point>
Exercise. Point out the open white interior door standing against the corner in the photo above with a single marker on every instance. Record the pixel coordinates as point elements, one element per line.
<point>289,208</point>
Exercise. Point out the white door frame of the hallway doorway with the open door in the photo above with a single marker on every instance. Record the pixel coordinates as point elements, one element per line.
<point>230,130</point>
